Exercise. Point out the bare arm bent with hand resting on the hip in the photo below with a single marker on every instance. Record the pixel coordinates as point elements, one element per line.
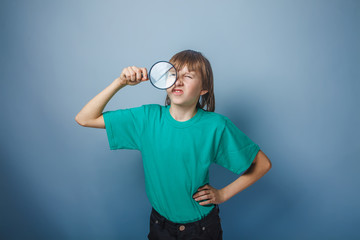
<point>259,167</point>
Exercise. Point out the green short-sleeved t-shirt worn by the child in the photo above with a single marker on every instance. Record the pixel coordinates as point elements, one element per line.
<point>177,155</point>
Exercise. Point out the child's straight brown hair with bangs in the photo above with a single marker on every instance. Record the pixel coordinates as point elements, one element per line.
<point>195,61</point>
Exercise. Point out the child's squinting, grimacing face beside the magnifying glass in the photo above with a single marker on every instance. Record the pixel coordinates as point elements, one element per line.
<point>187,88</point>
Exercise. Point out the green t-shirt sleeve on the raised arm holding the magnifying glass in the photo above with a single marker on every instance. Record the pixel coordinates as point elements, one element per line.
<point>124,127</point>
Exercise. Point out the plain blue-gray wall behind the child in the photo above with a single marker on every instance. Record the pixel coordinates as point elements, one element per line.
<point>286,72</point>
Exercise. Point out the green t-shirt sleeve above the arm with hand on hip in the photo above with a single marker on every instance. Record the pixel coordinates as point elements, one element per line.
<point>236,151</point>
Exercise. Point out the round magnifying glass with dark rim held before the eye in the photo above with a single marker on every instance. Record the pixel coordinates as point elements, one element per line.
<point>162,75</point>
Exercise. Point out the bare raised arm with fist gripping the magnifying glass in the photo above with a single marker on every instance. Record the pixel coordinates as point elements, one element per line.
<point>91,114</point>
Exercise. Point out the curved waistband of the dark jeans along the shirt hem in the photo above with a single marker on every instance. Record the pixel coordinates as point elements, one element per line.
<point>202,222</point>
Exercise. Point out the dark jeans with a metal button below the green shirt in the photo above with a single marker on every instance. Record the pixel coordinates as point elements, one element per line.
<point>207,228</point>
